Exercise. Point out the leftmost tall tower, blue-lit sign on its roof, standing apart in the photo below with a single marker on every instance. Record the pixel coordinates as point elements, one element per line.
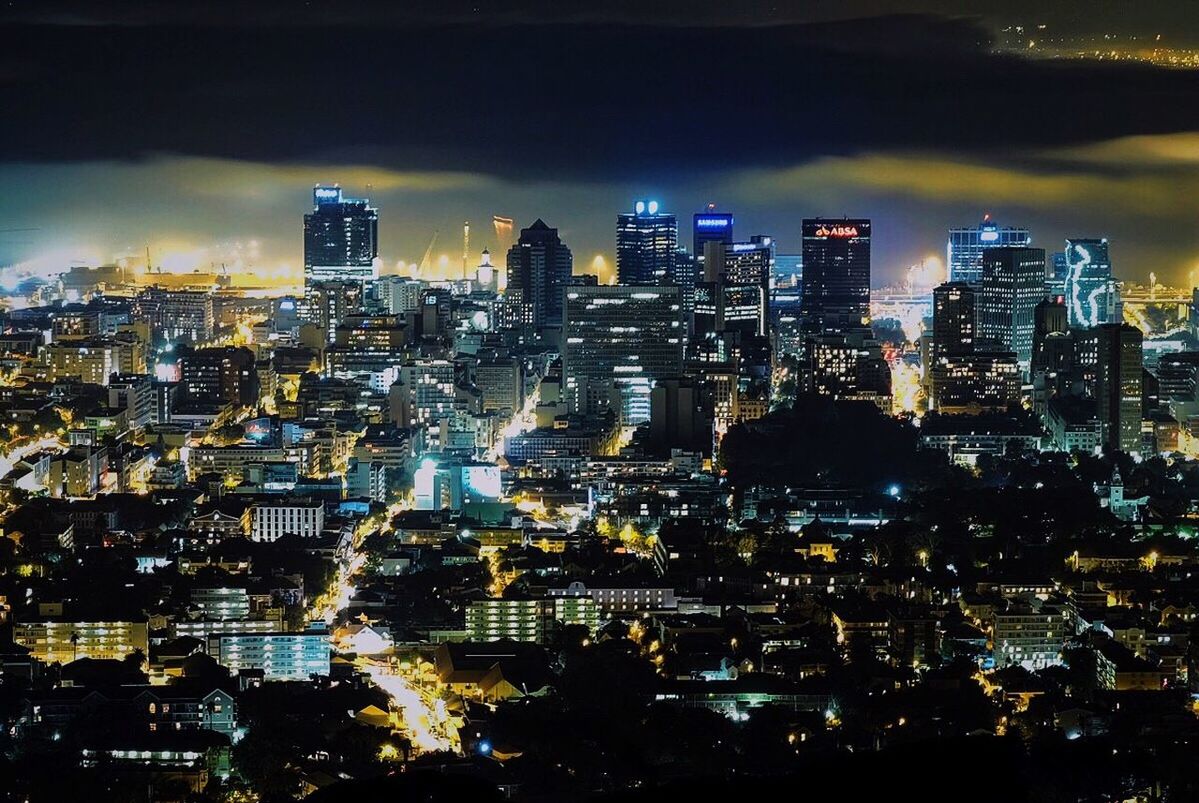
<point>341,239</point>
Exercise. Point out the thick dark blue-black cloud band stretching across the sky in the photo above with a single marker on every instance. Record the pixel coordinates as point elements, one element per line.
<point>580,101</point>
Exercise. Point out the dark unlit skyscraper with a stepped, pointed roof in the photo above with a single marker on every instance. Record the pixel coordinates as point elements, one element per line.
<point>540,268</point>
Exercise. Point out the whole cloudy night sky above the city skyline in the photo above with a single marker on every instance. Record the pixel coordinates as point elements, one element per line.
<point>192,126</point>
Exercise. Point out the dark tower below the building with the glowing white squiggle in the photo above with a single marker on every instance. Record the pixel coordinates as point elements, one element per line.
<point>1110,357</point>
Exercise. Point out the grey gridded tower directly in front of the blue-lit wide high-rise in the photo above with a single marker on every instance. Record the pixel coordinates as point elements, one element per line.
<point>1014,283</point>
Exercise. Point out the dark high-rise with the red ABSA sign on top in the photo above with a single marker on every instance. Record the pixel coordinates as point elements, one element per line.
<point>836,276</point>
